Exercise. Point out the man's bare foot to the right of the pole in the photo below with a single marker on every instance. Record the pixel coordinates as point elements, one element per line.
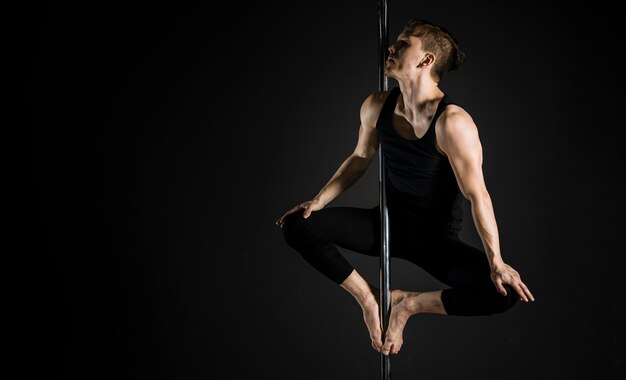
<point>402,307</point>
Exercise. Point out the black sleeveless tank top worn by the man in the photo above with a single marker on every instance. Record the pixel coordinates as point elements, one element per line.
<point>419,179</point>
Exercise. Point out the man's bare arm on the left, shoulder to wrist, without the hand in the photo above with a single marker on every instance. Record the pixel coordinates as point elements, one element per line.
<point>357,163</point>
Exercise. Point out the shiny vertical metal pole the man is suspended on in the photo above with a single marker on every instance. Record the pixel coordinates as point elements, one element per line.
<point>385,299</point>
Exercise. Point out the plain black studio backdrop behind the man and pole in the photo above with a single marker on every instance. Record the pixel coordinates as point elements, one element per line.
<point>170,137</point>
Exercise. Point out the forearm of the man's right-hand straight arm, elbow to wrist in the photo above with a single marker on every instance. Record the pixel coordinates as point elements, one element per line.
<point>486,226</point>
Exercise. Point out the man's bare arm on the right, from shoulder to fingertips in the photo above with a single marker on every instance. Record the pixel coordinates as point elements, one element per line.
<point>458,138</point>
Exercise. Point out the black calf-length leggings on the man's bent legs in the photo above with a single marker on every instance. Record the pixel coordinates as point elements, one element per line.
<point>440,252</point>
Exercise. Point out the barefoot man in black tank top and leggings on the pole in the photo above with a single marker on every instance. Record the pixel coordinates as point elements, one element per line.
<point>433,158</point>
